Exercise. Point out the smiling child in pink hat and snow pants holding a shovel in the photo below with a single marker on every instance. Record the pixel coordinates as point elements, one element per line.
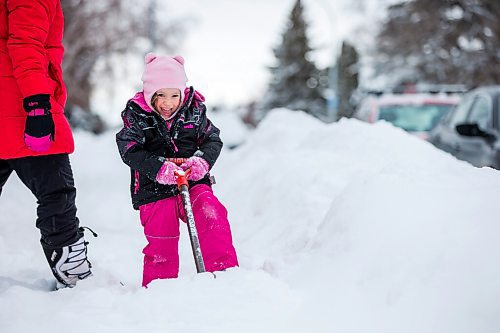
<point>157,126</point>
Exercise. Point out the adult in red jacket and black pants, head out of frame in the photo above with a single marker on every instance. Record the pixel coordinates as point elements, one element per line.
<point>35,135</point>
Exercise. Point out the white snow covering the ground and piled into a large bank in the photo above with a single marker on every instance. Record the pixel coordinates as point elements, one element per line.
<point>345,227</point>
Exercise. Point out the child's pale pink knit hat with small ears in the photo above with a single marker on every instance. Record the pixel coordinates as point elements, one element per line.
<point>163,72</point>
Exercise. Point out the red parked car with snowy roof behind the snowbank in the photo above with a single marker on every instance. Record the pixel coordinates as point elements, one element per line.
<point>416,113</point>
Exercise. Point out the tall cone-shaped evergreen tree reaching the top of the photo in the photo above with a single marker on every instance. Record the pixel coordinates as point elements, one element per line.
<point>295,82</point>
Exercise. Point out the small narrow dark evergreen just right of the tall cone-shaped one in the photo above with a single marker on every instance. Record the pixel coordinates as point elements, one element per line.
<point>347,80</point>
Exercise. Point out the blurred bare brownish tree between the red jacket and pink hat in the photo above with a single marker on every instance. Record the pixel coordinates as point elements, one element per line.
<point>95,30</point>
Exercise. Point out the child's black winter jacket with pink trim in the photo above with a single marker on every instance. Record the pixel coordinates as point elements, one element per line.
<point>145,142</point>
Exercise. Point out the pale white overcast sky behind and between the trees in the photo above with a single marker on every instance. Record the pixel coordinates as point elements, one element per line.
<point>228,45</point>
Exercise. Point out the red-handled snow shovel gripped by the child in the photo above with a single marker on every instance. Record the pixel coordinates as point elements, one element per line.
<point>182,184</point>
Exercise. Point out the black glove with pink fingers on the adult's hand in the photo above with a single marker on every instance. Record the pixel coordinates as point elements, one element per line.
<point>39,130</point>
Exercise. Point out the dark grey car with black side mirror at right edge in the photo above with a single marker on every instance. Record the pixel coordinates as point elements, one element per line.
<point>471,132</point>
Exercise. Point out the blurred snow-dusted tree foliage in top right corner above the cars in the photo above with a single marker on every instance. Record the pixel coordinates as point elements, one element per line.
<point>447,41</point>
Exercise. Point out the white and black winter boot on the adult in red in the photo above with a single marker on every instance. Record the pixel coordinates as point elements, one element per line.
<point>69,264</point>
